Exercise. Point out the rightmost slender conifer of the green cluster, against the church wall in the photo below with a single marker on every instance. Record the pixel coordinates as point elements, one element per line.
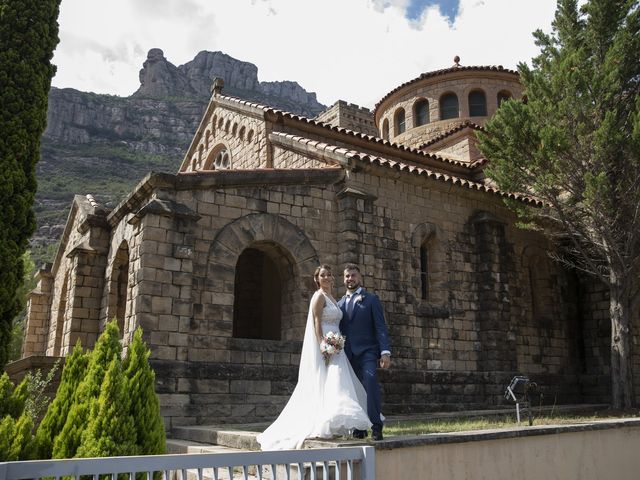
<point>145,408</point>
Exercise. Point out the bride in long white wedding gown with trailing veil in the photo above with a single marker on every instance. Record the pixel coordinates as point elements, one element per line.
<point>328,399</point>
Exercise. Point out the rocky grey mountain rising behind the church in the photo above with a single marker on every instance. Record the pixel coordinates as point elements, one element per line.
<point>103,144</point>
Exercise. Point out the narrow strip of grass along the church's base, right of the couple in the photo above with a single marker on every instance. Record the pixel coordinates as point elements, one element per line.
<point>460,424</point>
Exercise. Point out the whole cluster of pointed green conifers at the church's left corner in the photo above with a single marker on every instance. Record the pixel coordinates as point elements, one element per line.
<point>105,405</point>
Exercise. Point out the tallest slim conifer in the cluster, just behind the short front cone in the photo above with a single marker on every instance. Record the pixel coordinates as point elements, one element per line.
<point>106,350</point>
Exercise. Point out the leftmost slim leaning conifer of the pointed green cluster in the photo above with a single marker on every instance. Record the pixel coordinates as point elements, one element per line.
<point>74,371</point>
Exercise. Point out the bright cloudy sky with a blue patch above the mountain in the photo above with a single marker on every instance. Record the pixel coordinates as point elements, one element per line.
<point>353,50</point>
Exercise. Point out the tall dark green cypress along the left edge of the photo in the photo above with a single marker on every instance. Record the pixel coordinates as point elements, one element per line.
<point>28,36</point>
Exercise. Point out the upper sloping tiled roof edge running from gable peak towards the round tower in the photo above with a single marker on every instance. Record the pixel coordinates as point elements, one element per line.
<point>345,131</point>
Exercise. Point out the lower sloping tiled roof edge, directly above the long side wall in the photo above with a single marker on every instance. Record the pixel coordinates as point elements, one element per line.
<point>403,167</point>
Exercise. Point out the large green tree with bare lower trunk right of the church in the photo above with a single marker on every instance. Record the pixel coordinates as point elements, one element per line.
<point>574,143</point>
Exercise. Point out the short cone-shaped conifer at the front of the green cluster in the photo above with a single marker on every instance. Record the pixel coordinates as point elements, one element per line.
<point>110,430</point>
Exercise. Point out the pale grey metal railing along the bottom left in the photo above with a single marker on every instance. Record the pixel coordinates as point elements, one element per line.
<point>352,463</point>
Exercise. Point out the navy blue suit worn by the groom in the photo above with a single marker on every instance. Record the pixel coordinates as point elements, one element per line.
<point>367,336</point>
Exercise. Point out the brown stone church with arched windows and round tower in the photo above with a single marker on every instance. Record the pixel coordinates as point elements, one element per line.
<point>215,262</point>
